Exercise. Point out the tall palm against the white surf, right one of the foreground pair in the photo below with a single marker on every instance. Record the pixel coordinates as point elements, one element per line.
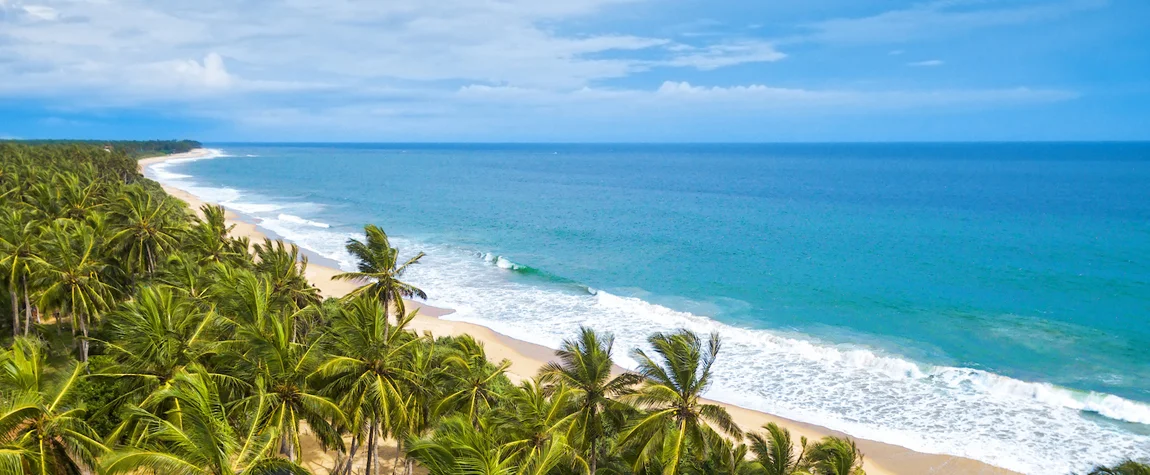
<point>678,422</point>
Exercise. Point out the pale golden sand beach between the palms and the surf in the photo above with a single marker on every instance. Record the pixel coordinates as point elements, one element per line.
<point>880,458</point>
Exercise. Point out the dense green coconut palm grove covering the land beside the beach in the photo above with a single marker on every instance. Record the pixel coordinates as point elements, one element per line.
<point>147,340</point>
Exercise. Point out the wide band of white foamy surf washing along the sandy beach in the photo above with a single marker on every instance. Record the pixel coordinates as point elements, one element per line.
<point>1030,427</point>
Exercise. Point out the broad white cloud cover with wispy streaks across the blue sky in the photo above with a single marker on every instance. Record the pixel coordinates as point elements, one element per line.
<point>412,65</point>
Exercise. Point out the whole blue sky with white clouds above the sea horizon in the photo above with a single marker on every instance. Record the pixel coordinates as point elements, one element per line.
<point>577,71</point>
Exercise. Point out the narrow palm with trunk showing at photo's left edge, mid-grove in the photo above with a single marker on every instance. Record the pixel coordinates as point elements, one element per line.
<point>19,236</point>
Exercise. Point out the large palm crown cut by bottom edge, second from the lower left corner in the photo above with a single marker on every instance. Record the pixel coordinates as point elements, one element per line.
<point>197,436</point>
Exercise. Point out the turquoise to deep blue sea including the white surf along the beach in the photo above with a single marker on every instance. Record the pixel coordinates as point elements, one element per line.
<point>987,301</point>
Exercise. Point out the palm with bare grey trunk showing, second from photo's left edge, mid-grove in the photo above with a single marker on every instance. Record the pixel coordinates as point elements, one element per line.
<point>73,277</point>
